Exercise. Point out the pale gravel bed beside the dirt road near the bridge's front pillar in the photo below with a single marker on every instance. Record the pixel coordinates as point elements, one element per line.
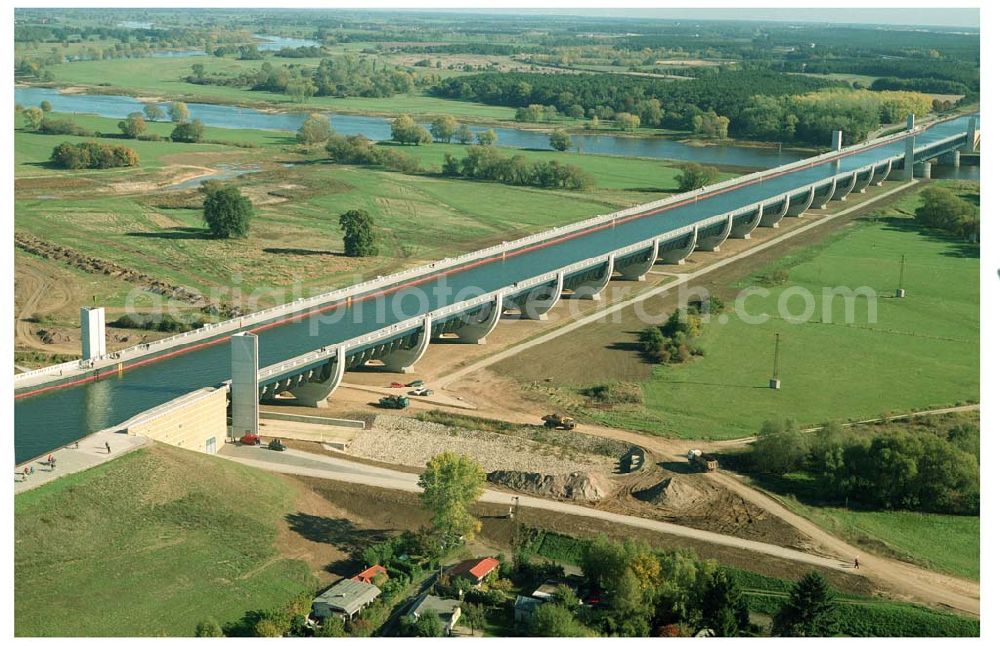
<point>403,440</point>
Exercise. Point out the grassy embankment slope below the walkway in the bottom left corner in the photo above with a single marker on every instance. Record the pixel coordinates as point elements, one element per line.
<point>141,547</point>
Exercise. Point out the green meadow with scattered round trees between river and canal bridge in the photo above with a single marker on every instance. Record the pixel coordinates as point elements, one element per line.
<point>130,216</point>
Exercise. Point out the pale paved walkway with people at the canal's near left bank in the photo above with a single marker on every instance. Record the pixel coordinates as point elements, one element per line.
<point>70,459</point>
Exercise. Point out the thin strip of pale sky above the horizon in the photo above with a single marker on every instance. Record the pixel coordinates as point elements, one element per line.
<point>954,17</point>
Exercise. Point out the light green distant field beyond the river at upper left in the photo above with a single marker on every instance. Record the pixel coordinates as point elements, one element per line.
<point>163,78</point>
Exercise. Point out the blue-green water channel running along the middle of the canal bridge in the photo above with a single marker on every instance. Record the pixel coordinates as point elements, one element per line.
<point>53,418</point>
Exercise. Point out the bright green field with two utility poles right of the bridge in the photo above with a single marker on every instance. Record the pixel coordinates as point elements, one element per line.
<point>918,352</point>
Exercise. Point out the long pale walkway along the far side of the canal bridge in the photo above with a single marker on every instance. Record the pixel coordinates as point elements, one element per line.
<point>359,289</point>
